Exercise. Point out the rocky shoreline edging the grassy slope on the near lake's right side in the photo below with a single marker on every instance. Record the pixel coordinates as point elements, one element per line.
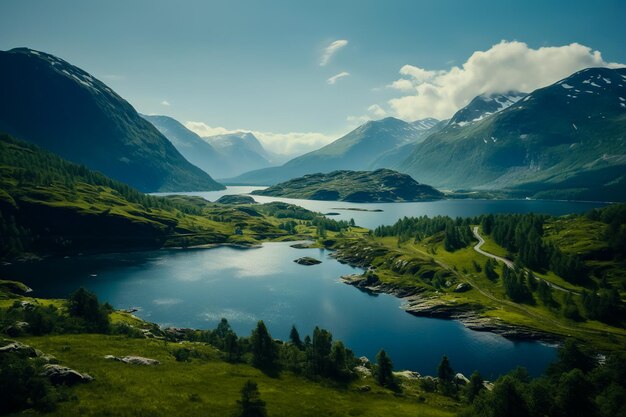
<point>421,305</point>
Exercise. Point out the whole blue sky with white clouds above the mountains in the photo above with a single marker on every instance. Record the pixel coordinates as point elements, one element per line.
<point>301,74</point>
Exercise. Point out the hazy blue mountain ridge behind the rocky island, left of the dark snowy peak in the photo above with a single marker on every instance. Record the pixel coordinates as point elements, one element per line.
<point>358,150</point>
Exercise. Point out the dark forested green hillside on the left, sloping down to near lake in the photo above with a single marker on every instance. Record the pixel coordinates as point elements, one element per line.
<point>49,205</point>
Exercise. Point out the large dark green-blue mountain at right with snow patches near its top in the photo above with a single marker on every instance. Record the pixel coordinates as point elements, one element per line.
<point>567,140</point>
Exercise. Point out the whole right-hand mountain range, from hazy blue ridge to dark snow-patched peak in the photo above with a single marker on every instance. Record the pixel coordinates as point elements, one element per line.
<point>567,140</point>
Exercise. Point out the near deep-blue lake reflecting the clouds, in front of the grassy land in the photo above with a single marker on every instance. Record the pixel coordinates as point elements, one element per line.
<point>196,288</point>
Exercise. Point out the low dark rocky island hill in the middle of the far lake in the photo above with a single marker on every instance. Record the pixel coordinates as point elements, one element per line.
<point>380,186</point>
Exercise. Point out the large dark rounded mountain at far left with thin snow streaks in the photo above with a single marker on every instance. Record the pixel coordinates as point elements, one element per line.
<point>60,107</point>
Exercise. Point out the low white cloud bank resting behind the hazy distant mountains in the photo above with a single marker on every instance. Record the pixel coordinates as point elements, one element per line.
<point>288,144</point>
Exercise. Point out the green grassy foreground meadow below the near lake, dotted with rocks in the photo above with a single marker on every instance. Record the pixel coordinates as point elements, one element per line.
<point>205,386</point>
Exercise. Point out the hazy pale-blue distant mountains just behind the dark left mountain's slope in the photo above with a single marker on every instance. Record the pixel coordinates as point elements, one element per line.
<point>221,156</point>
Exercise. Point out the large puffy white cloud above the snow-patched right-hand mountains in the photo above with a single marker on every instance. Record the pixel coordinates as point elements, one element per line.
<point>503,67</point>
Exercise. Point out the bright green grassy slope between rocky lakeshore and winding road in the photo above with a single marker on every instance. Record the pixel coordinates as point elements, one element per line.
<point>487,298</point>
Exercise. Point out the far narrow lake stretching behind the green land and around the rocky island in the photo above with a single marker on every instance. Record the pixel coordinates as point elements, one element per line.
<point>394,211</point>
